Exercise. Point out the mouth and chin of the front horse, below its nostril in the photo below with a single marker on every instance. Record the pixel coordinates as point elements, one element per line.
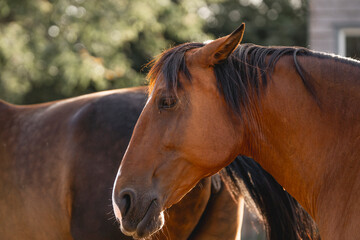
<point>152,221</point>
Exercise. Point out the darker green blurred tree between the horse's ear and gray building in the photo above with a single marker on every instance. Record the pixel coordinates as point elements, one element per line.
<point>268,22</point>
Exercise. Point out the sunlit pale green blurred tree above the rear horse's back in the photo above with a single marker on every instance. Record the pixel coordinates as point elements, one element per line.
<point>56,49</point>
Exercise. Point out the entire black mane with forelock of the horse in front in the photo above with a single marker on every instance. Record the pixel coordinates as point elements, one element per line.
<point>242,76</point>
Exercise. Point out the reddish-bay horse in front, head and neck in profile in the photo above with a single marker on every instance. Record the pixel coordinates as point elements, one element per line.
<point>295,111</point>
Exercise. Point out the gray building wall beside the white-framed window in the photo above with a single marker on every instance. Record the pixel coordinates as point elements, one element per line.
<point>327,17</point>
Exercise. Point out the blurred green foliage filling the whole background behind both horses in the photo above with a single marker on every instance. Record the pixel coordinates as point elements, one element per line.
<point>53,49</point>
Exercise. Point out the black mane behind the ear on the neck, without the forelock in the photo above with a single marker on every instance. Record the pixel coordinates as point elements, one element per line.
<point>246,72</point>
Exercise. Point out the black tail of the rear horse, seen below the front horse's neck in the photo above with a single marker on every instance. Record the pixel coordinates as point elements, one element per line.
<point>282,215</point>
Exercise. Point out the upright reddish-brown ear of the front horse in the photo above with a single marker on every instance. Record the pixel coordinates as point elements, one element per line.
<point>220,49</point>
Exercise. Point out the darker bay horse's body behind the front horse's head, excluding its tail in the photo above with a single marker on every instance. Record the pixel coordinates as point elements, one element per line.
<point>58,161</point>
